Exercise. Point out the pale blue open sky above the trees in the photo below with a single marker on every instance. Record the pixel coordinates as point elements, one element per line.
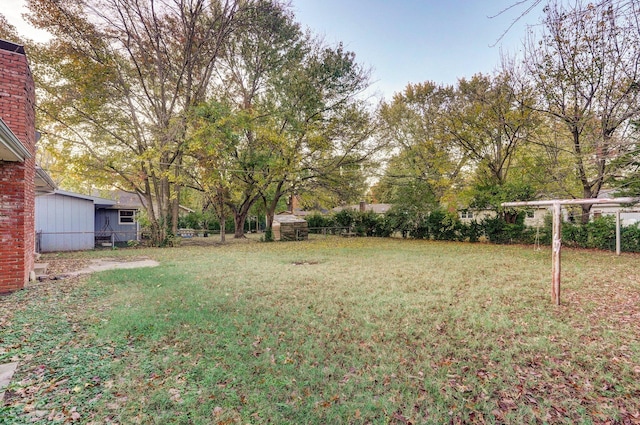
<point>401,41</point>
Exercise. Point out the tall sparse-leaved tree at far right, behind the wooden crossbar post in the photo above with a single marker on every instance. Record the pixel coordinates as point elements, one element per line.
<point>586,71</point>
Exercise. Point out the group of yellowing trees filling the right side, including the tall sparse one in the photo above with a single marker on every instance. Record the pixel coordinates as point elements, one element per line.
<point>561,121</point>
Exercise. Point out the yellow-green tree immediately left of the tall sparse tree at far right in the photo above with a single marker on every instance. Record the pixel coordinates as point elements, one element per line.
<point>486,119</point>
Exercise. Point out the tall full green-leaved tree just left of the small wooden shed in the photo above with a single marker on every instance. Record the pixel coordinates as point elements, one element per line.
<point>303,126</point>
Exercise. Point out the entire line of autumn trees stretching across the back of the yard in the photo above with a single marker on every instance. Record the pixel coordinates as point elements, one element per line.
<point>230,107</point>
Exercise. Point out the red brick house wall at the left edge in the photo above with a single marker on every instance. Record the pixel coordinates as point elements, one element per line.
<point>17,180</point>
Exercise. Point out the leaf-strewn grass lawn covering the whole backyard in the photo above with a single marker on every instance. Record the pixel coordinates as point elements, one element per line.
<point>328,331</point>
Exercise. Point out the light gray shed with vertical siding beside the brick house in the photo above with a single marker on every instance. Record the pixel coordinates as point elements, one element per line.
<point>65,221</point>
